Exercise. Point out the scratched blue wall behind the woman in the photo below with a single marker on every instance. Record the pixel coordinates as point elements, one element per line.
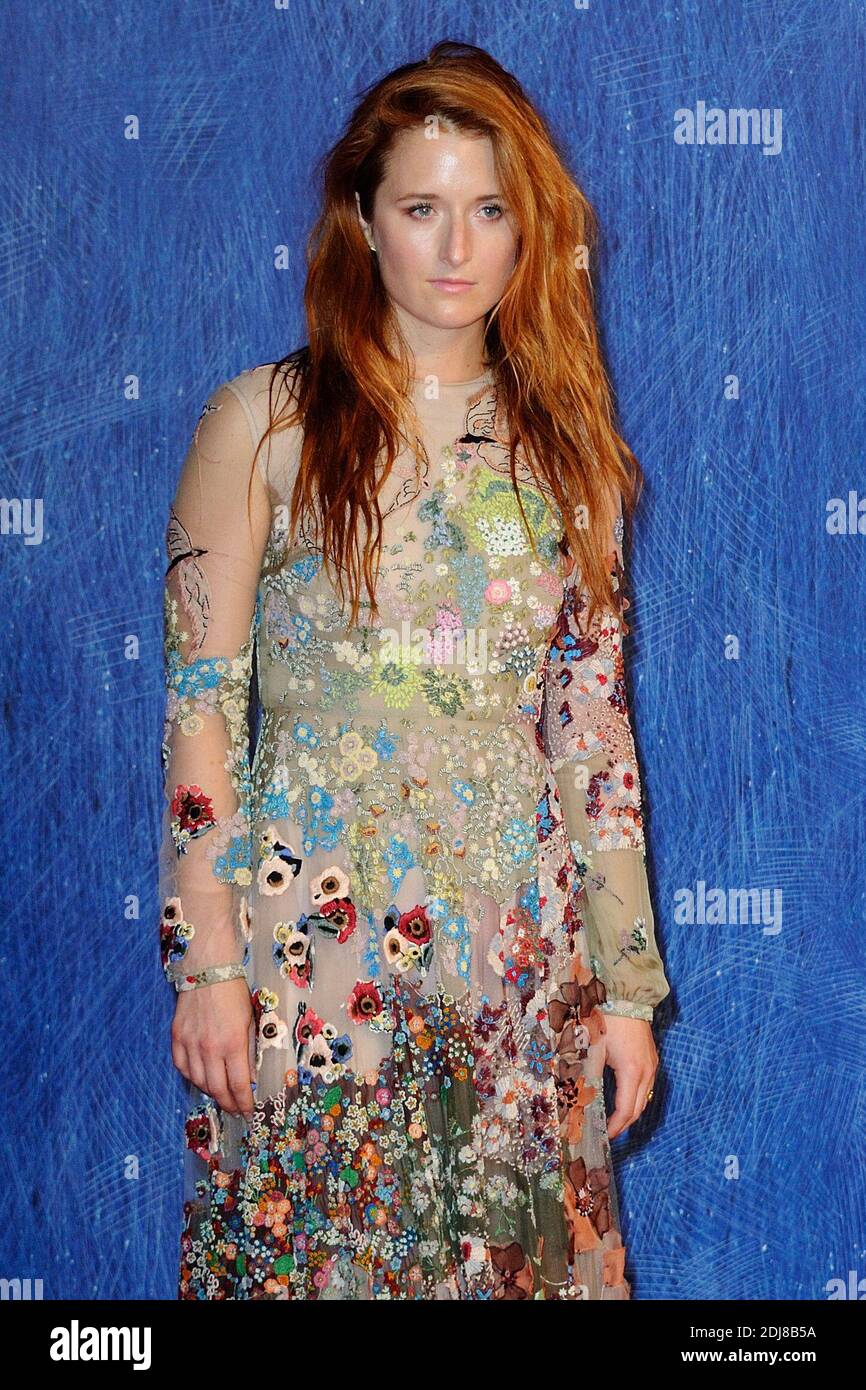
<point>155,258</point>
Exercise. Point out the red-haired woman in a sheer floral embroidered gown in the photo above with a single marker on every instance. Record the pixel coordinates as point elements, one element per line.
<point>418,926</point>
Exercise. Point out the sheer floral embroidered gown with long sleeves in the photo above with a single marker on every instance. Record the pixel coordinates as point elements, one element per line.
<point>433,868</point>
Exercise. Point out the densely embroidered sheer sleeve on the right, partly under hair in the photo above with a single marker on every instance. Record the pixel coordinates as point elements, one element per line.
<point>590,744</point>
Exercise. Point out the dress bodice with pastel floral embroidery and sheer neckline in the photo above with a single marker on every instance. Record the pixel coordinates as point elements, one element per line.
<point>432,705</point>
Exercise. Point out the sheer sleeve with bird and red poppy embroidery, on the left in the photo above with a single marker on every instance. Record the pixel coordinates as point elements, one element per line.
<point>215,553</point>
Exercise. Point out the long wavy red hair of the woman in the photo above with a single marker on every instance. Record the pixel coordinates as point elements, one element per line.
<point>351,387</point>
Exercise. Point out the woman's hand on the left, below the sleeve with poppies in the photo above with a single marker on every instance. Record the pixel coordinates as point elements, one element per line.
<point>212,1040</point>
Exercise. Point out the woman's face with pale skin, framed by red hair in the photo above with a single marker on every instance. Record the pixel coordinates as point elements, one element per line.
<point>446,241</point>
